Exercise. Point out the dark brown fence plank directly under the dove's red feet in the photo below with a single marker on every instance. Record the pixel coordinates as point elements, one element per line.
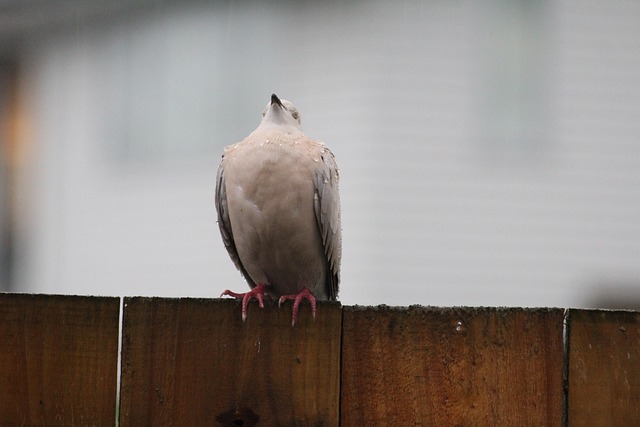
<point>194,362</point>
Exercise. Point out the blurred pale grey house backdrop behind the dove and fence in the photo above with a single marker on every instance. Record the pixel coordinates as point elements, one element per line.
<point>489,151</point>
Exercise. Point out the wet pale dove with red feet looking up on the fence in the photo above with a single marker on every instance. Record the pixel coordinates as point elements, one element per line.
<point>278,209</point>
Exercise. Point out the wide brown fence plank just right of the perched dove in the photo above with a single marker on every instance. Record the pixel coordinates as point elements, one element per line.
<point>433,366</point>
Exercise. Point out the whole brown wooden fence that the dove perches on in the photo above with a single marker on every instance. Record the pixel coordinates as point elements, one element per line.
<point>194,362</point>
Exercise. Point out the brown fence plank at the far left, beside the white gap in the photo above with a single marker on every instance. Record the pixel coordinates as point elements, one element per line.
<point>58,360</point>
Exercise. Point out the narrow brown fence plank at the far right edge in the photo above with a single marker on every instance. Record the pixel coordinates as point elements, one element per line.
<point>604,368</point>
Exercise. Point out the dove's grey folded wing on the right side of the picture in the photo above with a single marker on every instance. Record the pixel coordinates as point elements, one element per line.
<point>327,209</point>
